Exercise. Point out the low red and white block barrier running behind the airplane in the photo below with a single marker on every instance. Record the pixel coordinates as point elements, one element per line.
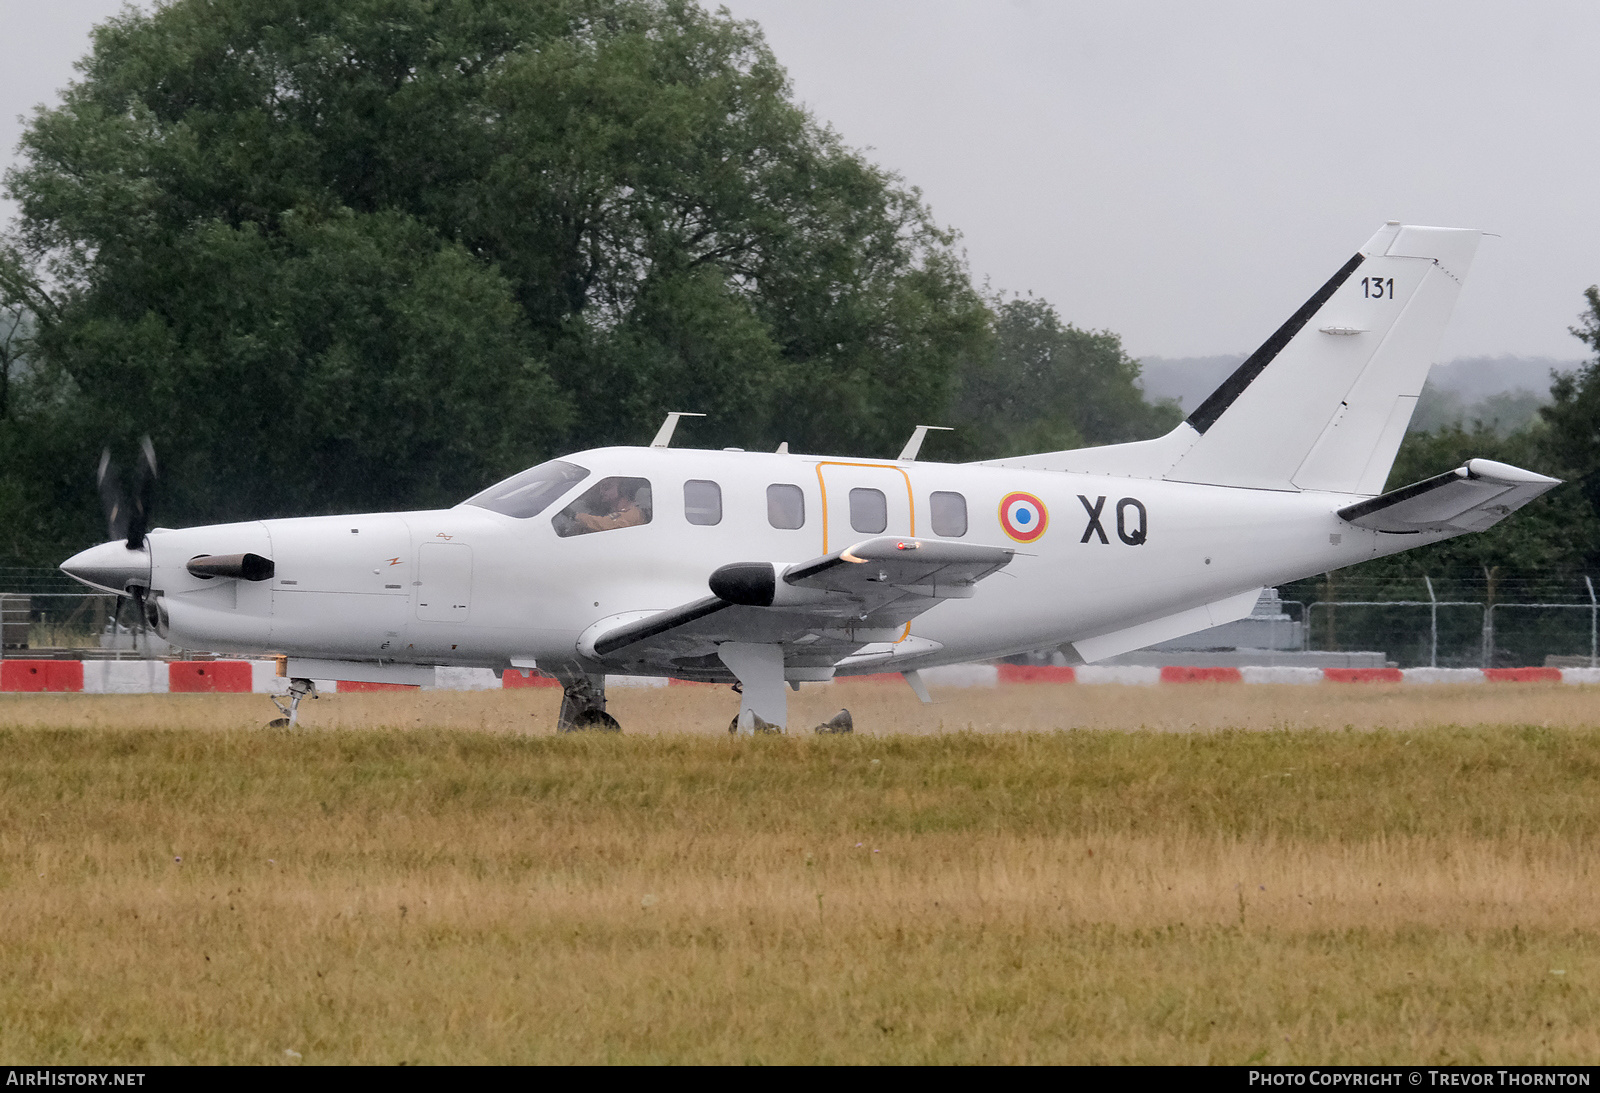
<point>242,678</point>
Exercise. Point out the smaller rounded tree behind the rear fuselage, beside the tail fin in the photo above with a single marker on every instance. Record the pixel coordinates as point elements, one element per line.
<point>1047,386</point>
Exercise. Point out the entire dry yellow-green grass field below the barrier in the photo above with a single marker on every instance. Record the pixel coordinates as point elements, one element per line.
<point>1186,875</point>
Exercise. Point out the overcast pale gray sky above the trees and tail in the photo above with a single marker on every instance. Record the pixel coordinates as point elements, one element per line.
<point>1180,174</point>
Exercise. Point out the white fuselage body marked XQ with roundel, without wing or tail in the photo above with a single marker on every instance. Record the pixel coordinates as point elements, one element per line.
<point>476,587</point>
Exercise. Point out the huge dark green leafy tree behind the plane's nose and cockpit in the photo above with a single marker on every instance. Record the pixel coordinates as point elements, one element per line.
<point>382,252</point>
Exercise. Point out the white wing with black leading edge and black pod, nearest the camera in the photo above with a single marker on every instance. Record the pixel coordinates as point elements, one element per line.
<point>823,612</point>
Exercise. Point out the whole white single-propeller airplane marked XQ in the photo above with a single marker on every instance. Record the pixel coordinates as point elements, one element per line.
<point>772,569</point>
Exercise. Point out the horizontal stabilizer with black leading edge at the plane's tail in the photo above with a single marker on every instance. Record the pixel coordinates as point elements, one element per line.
<point>1470,498</point>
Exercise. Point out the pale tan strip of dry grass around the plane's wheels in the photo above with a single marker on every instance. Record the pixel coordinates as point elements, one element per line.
<point>879,708</point>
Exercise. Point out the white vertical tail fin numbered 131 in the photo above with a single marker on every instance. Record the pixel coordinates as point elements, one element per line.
<point>1326,402</point>
